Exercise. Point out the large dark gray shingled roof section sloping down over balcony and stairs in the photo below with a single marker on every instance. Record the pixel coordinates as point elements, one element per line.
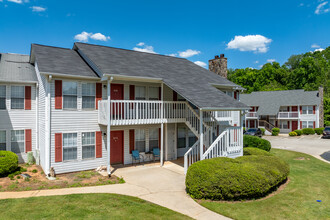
<point>188,79</point>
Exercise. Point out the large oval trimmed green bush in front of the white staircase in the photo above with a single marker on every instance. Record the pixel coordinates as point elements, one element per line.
<point>247,177</point>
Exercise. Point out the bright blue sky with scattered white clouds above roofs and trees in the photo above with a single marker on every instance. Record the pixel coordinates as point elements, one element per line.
<point>248,32</point>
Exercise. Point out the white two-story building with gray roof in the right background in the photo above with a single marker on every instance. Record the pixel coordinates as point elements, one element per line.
<point>288,110</point>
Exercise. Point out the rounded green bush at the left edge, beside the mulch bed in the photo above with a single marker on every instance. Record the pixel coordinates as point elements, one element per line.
<point>8,162</point>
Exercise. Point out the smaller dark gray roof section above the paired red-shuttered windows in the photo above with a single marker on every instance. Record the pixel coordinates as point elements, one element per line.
<point>58,60</point>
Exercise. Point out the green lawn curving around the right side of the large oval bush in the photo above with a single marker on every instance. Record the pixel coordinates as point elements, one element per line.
<point>309,181</point>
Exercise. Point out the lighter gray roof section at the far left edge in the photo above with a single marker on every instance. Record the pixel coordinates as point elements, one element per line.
<point>16,68</point>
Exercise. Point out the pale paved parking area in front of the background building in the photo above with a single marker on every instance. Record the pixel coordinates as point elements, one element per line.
<point>309,144</point>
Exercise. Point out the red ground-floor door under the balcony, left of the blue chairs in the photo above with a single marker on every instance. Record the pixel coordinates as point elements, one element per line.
<point>117,147</point>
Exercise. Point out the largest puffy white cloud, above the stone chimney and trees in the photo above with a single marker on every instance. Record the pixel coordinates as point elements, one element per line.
<point>256,43</point>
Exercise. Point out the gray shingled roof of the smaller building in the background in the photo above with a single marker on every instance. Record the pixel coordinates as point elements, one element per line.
<point>269,102</point>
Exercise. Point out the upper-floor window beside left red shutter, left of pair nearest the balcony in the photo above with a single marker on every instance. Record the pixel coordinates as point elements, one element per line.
<point>69,95</point>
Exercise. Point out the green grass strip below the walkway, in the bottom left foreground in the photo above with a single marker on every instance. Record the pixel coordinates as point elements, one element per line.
<point>84,206</point>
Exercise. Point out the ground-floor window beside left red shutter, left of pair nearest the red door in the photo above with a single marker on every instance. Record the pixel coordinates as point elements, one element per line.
<point>69,146</point>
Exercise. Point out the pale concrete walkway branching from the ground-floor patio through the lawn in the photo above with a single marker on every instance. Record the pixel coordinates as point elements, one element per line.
<point>164,186</point>
